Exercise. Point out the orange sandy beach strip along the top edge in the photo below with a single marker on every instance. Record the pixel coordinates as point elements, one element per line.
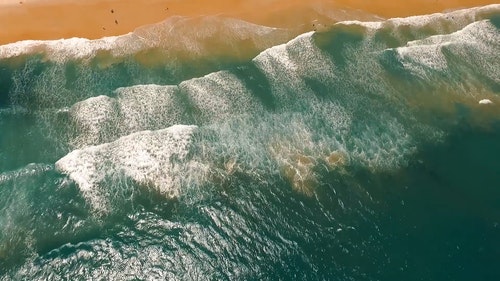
<point>54,19</point>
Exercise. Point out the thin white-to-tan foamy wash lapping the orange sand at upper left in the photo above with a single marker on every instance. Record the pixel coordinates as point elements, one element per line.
<point>173,35</point>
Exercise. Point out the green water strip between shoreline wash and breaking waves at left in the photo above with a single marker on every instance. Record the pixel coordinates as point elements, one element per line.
<point>36,83</point>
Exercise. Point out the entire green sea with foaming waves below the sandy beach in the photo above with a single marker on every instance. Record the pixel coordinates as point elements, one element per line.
<point>360,152</point>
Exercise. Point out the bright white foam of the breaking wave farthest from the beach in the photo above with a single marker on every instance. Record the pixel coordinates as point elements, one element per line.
<point>155,159</point>
